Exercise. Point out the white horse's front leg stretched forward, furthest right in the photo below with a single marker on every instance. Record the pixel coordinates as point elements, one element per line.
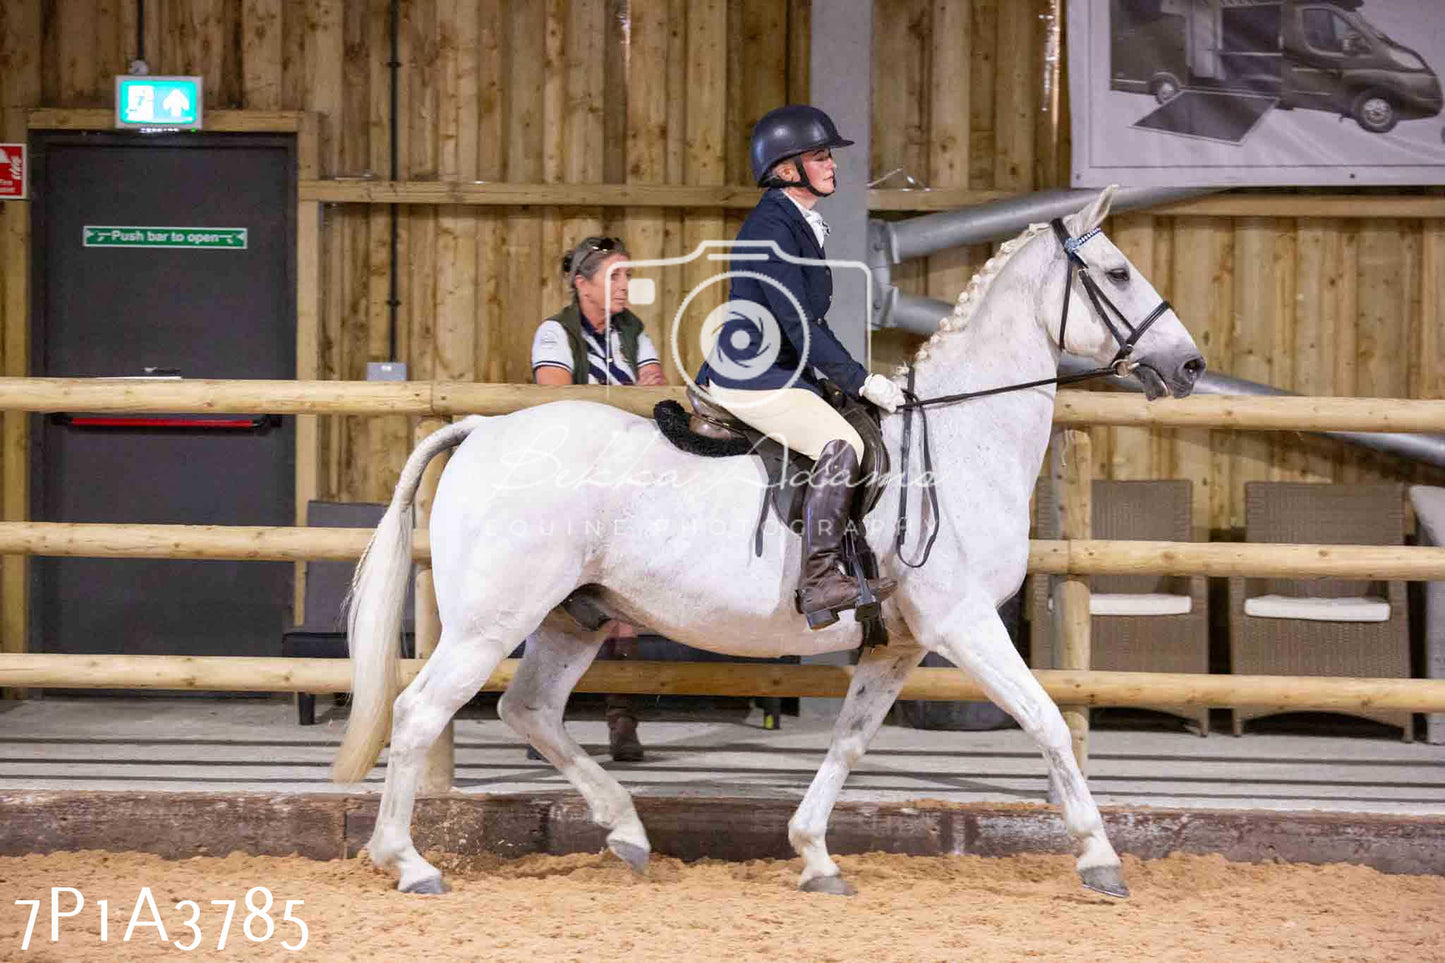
<point>975,638</point>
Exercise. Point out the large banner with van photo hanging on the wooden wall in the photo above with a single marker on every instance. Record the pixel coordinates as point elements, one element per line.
<point>1216,93</point>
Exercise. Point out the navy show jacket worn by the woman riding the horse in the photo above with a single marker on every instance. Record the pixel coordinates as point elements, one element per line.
<point>778,219</point>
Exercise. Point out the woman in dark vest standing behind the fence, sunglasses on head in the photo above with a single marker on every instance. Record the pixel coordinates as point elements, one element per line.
<point>596,341</point>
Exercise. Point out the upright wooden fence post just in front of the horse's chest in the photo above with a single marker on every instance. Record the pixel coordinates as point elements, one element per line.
<point>1071,474</point>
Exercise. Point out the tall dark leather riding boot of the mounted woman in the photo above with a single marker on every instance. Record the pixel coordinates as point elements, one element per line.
<point>826,589</point>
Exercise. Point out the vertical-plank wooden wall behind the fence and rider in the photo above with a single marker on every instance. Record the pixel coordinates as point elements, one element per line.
<point>665,92</point>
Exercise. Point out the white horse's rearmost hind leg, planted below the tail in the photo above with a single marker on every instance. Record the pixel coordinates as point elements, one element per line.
<point>460,666</point>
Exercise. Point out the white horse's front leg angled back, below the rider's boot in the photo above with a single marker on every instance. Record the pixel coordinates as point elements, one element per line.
<point>876,685</point>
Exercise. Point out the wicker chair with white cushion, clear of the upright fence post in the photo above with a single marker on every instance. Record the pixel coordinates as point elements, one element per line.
<point>1330,515</point>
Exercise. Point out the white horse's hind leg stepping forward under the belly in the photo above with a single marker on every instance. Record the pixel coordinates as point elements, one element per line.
<point>553,664</point>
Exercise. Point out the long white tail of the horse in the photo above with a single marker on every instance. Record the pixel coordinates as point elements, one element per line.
<point>374,611</point>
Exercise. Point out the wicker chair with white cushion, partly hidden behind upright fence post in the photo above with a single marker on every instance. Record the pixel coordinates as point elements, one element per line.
<point>1151,511</point>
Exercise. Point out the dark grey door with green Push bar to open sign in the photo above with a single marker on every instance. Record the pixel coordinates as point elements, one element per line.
<point>206,313</point>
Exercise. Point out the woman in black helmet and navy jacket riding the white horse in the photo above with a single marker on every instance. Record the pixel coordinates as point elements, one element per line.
<point>793,157</point>
